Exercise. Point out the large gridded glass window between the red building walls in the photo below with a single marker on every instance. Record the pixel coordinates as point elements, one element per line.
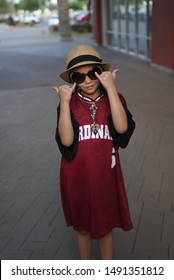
<point>128,26</point>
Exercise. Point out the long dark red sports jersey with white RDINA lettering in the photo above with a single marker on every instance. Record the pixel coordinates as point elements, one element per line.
<point>92,186</point>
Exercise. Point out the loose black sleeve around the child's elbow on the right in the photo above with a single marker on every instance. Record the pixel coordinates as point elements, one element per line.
<point>122,140</point>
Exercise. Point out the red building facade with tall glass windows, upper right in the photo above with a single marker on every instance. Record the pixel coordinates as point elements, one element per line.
<point>143,28</point>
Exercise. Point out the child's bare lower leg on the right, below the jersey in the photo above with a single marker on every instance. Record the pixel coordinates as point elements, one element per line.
<point>106,245</point>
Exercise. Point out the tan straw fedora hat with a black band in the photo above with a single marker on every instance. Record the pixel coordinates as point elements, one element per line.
<point>82,55</point>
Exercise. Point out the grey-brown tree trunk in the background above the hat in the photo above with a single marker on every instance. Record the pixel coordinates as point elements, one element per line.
<point>64,25</point>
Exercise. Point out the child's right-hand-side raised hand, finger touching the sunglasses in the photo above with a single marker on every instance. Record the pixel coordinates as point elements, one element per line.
<point>107,78</point>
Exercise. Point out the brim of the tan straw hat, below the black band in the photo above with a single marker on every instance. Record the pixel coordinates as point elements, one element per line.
<point>65,75</point>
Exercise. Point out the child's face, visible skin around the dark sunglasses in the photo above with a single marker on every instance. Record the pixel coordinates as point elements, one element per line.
<point>89,87</point>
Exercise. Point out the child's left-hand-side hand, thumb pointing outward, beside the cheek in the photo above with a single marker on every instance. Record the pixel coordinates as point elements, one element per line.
<point>65,92</point>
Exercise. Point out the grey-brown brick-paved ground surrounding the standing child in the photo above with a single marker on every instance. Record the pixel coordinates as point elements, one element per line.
<point>31,220</point>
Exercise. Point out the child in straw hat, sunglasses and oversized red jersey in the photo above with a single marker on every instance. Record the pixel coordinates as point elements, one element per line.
<point>92,123</point>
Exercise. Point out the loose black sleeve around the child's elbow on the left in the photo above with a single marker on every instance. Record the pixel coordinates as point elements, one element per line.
<point>68,152</point>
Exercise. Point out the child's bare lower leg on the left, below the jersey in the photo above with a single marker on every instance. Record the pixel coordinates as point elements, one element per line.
<point>84,242</point>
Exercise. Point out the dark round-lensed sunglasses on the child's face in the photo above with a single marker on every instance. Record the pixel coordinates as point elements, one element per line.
<point>78,78</point>
